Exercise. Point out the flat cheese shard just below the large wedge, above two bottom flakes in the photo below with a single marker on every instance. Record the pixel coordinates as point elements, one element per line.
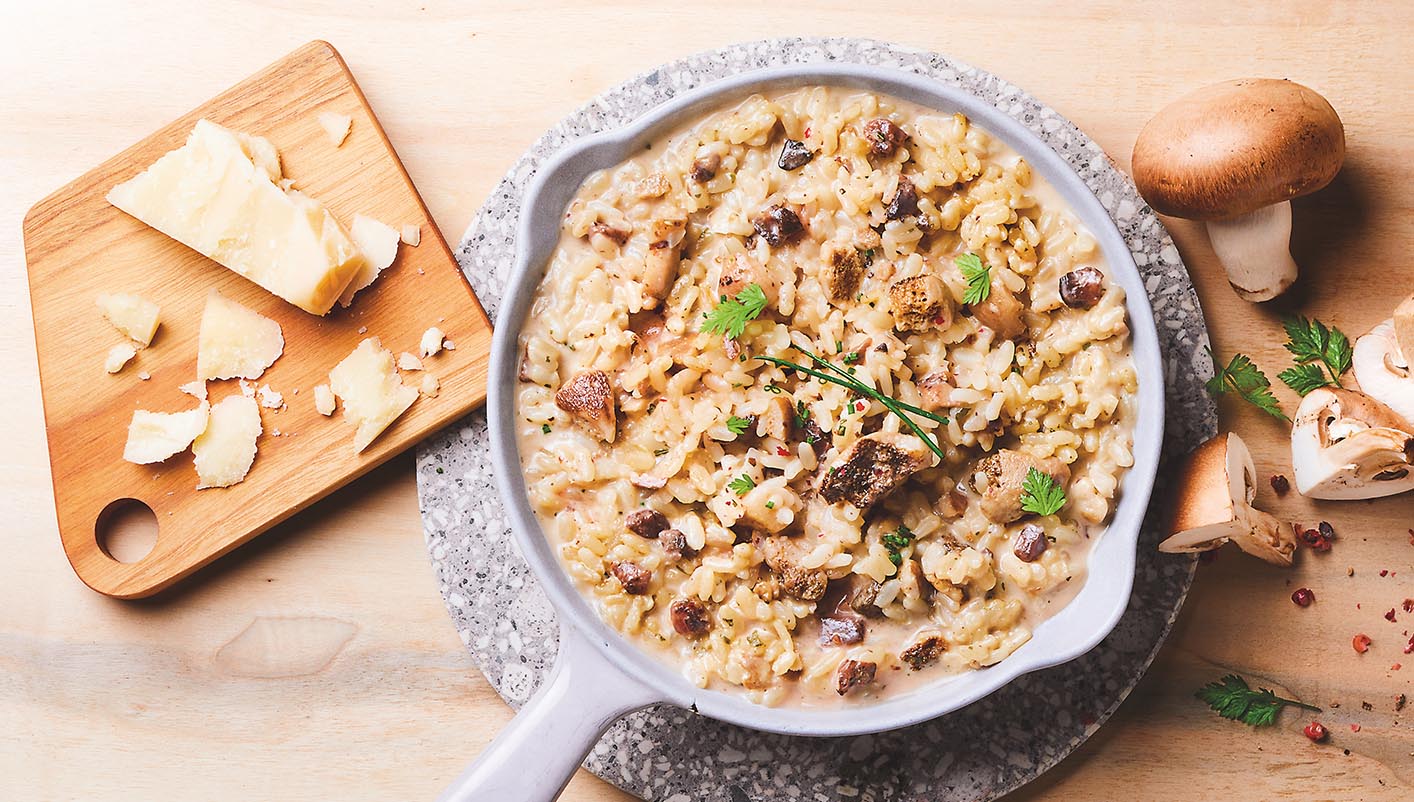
<point>235,342</point>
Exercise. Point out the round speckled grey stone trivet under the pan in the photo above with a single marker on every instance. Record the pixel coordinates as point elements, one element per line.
<point>667,755</point>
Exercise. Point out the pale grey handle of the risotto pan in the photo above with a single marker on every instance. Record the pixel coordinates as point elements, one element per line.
<point>534,759</point>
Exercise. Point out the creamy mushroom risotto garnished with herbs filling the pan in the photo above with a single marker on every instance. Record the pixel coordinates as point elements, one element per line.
<point>824,397</point>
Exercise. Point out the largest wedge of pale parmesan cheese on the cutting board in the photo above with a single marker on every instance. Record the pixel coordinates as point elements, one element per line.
<point>220,194</point>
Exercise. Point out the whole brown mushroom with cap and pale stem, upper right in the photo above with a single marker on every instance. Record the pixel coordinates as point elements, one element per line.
<point>1235,155</point>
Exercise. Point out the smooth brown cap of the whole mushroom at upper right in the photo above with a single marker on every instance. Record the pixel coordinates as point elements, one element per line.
<point>1234,148</point>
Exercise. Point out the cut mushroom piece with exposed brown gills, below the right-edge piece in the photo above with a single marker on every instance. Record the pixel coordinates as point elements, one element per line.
<point>1350,446</point>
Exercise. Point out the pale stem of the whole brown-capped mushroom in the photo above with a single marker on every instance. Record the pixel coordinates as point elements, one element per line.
<point>1256,251</point>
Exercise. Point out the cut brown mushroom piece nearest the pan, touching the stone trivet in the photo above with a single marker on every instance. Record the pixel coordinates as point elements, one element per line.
<point>1214,506</point>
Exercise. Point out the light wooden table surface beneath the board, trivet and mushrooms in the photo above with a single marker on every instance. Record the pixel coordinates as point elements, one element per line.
<point>319,661</point>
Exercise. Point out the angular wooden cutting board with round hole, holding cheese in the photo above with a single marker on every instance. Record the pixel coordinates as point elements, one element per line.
<point>77,247</point>
